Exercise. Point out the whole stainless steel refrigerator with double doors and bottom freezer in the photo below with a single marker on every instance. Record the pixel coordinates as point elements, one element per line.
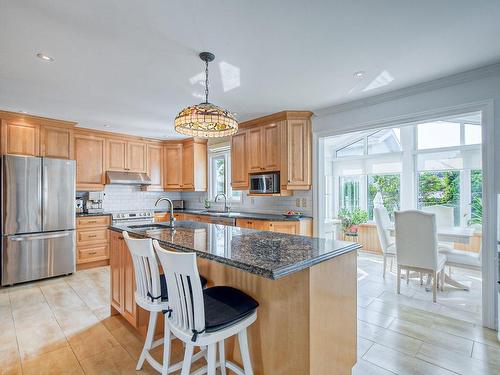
<point>38,218</point>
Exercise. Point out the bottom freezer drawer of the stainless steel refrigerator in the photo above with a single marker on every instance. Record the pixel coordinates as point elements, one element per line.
<point>37,256</point>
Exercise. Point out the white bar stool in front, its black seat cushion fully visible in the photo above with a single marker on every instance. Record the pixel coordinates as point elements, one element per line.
<point>204,318</point>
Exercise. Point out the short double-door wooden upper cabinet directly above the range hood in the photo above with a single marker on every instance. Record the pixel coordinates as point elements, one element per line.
<point>123,155</point>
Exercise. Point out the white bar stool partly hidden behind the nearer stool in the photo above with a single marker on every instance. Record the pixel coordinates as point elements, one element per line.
<point>151,294</point>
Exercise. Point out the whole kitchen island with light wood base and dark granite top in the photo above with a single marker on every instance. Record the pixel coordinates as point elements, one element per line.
<point>306,288</point>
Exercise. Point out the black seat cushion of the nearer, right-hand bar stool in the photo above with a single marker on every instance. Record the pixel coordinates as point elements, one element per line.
<point>225,306</point>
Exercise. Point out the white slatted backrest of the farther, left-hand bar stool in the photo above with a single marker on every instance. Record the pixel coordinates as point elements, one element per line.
<point>147,274</point>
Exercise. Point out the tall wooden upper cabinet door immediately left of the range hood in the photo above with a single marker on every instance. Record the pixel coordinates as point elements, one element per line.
<point>89,155</point>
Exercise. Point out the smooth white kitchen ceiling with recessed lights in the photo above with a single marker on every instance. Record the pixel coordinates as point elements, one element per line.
<point>133,65</point>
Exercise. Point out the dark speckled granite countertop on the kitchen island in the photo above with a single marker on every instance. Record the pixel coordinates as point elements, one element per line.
<point>267,254</point>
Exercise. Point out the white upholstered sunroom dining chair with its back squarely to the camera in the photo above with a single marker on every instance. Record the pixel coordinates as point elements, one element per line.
<point>417,247</point>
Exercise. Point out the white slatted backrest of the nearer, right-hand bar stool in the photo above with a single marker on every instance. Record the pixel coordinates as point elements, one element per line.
<point>185,294</point>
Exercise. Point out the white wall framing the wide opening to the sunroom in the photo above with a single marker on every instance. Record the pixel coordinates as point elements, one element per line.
<point>462,92</point>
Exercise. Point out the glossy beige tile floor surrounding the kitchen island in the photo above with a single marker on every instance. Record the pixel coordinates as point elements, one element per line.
<point>62,326</point>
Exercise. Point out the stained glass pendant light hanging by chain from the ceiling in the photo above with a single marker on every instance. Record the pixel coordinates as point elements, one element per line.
<point>205,119</point>
